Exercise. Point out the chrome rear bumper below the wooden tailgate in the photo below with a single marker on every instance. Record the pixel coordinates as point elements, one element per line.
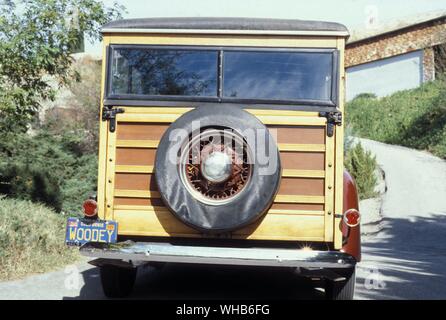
<point>166,252</point>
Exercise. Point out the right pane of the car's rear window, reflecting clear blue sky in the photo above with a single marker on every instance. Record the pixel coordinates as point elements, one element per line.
<point>277,75</point>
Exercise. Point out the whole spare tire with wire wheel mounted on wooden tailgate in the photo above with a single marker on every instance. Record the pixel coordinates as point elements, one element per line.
<point>217,168</point>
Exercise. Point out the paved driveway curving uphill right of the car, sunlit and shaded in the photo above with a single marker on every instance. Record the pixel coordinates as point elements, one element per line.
<point>410,251</point>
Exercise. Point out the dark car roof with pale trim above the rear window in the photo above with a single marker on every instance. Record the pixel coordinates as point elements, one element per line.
<point>226,25</point>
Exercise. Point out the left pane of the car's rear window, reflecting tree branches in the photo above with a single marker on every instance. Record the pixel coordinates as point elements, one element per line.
<point>164,72</point>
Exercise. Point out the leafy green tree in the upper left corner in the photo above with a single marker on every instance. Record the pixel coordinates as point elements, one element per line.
<point>37,38</point>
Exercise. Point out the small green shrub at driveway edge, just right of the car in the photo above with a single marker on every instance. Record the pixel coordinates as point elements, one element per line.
<point>362,165</point>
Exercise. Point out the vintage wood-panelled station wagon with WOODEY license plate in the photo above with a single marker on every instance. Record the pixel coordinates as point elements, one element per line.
<point>221,142</point>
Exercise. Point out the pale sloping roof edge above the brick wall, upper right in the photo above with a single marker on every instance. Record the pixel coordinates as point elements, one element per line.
<point>358,35</point>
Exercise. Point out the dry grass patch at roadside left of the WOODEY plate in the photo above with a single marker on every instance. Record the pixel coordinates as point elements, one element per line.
<point>31,239</point>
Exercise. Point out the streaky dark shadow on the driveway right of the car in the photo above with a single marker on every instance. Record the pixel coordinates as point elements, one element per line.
<point>410,257</point>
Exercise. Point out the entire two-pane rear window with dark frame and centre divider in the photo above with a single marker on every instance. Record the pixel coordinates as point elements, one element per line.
<point>223,74</point>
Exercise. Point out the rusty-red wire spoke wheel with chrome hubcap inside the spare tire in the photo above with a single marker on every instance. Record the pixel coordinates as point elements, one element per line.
<point>215,165</point>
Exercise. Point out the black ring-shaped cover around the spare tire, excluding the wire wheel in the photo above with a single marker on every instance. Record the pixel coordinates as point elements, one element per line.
<point>244,209</point>
